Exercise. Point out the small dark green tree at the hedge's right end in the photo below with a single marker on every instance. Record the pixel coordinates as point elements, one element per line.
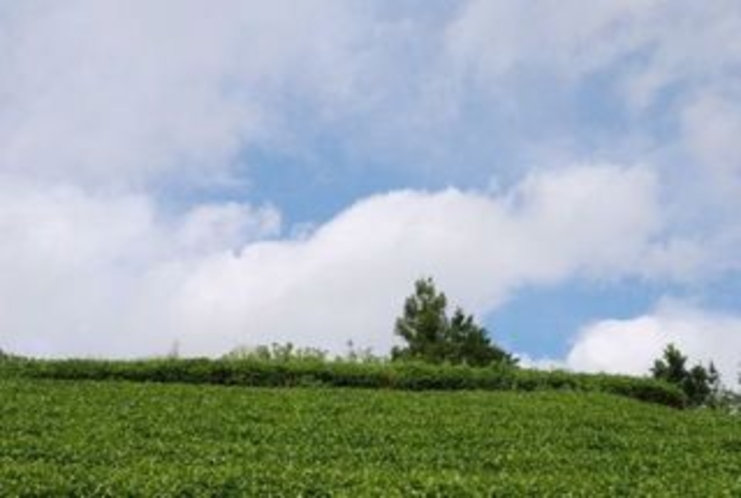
<point>700,384</point>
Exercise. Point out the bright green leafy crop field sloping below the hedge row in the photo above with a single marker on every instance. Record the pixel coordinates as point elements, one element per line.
<point>82,438</point>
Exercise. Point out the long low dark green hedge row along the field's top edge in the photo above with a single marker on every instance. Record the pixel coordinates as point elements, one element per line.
<point>386,375</point>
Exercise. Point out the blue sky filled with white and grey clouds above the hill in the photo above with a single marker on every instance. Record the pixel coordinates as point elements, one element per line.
<point>179,172</point>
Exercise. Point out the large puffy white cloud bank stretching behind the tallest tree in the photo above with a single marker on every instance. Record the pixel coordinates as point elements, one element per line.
<point>85,274</point>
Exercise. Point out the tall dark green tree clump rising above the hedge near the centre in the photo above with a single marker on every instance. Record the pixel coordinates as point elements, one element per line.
<point>433,337</point>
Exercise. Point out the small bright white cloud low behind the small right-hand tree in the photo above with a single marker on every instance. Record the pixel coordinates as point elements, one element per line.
<point>630,346</point>
